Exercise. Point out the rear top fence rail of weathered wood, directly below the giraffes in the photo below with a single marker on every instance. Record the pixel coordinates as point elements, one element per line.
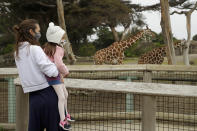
<point>84,68</point>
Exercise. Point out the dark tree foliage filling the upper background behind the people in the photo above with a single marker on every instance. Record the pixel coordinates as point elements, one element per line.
<point>83,18</point>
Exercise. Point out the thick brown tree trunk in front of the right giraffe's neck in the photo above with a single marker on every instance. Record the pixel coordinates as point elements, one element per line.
<point>166,30</point>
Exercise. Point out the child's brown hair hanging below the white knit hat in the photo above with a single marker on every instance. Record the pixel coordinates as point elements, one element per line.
<point>50,48</point>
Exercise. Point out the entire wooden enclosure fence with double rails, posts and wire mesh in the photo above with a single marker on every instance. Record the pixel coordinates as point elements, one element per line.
<point>149,96</point>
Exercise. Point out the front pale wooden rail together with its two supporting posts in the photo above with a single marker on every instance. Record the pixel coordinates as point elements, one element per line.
<point>149,91</point>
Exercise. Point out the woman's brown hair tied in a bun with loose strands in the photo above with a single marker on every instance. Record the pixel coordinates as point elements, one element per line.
<point>22,33</point>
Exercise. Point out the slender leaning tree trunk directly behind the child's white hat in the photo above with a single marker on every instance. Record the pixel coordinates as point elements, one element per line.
<point>68,49</point>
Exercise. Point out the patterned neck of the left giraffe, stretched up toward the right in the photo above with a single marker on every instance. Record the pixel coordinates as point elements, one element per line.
<point>129,42</point>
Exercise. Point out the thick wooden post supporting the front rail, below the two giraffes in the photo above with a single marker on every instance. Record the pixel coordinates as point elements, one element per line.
<point>148,107</point>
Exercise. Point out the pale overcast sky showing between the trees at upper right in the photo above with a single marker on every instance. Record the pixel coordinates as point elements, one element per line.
<point>178,22</point>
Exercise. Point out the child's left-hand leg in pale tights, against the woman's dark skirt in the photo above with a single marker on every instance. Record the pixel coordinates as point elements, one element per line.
<point>59,89</point>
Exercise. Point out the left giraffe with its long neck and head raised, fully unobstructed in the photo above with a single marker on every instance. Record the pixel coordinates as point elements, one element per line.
<point>114,54</point>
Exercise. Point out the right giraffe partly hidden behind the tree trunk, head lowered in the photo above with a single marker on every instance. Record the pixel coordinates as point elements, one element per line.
<point>156,56</point>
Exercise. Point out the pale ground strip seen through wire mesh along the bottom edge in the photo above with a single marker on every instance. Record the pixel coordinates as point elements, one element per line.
<point>113,126</point>
